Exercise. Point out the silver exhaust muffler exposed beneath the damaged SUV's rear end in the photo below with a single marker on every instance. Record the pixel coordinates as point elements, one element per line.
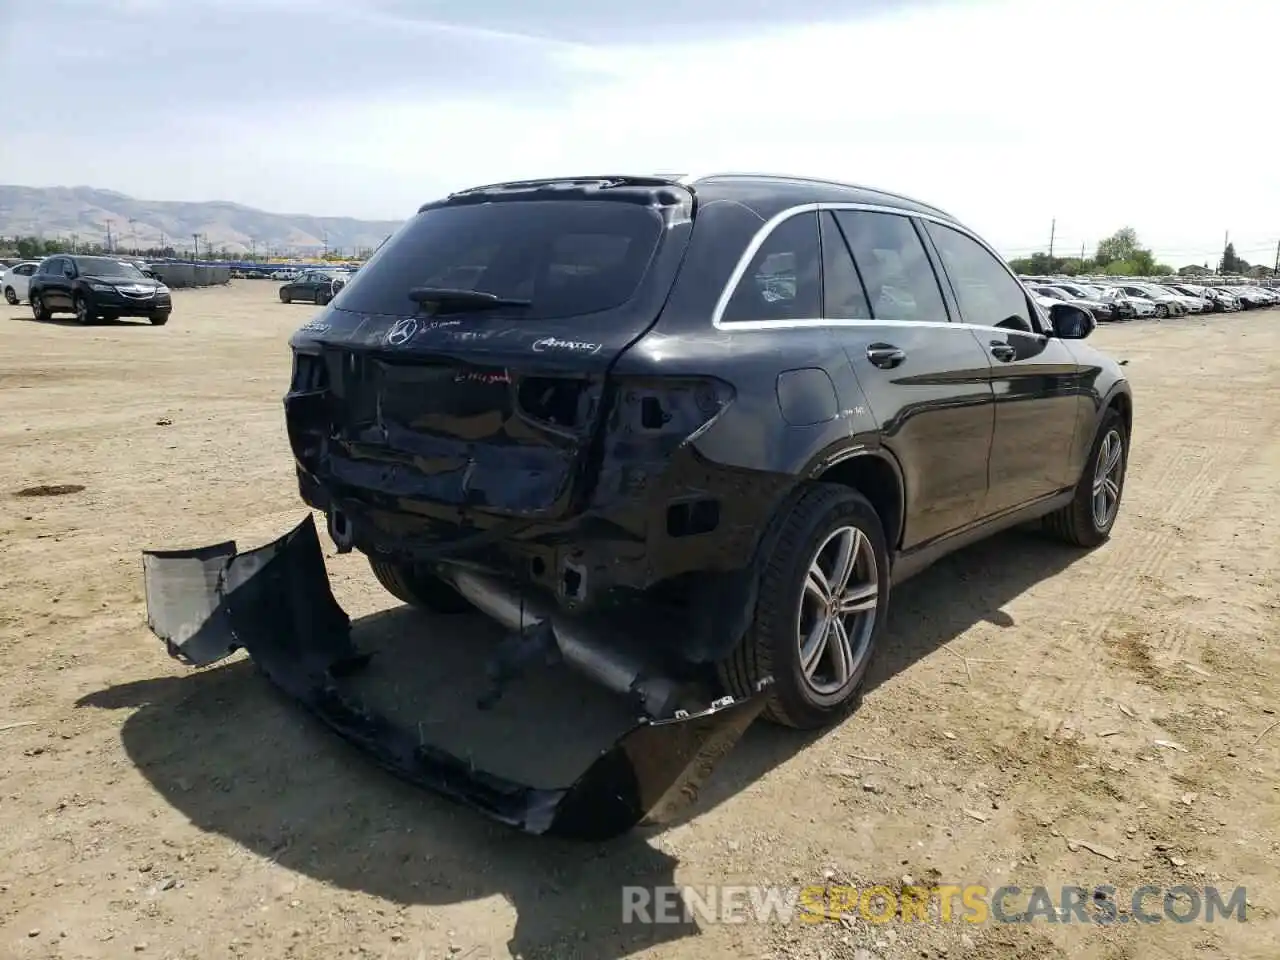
<point>619,670</point>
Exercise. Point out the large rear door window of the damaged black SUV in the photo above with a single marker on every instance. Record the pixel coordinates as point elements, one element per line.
<point>897,273</point>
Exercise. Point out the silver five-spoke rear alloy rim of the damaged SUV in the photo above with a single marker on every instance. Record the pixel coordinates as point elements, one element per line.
<point>838,611</point>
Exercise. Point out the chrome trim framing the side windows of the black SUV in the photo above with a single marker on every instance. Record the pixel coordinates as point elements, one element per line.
<point>764,234</point>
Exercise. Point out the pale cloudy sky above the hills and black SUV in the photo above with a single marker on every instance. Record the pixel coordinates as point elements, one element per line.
<point>1008,115</point>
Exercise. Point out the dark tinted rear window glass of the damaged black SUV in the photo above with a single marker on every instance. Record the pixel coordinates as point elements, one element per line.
<point>566,258</point>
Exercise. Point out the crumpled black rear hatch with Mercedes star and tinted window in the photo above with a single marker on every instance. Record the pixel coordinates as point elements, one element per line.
<point>467,364</point>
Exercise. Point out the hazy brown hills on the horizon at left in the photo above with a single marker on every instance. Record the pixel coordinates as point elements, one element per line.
<point>85,212</point>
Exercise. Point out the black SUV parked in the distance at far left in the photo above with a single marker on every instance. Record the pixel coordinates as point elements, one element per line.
<point>97,289</point>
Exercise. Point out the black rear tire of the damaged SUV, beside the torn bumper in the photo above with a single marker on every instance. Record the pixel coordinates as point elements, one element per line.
<point>826,519</point>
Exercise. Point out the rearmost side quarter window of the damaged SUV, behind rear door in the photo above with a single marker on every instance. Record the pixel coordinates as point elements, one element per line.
<point>783,281</point>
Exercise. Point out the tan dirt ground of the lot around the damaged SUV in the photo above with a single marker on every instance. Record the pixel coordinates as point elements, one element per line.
<point>1037,717</point>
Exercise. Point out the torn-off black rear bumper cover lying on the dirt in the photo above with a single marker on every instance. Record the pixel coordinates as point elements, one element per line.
<point>275,602</point>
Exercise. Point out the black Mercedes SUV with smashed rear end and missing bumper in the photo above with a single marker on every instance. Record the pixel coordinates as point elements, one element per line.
<point>693,429</point>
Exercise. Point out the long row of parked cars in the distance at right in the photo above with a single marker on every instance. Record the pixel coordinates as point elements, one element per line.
<point>1119,299</point>
